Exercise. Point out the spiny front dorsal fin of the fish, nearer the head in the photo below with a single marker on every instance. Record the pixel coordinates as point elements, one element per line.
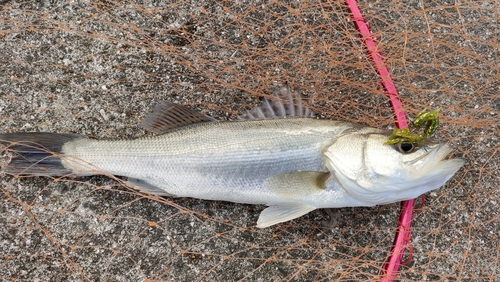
<point>288,103</point>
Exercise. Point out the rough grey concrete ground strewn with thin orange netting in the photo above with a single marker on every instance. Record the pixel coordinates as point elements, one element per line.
<point>97,67</point>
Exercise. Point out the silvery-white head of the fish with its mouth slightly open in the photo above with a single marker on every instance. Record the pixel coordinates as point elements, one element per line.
<point>375,173</point>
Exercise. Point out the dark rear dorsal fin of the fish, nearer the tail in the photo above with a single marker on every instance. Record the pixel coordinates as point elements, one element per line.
<point>167,116</point>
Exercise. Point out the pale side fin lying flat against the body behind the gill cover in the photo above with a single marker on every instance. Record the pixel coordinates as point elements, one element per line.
<point>297,184</point>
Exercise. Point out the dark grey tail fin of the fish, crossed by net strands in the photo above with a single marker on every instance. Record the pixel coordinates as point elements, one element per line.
<point>34,153</point>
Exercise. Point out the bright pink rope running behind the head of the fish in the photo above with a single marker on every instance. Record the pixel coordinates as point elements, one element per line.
<point>404,234</point>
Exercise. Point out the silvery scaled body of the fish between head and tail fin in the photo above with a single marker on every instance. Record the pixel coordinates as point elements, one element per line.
<point>241,161</point>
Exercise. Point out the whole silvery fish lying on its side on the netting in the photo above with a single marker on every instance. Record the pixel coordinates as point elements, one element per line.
<point>277,154</point>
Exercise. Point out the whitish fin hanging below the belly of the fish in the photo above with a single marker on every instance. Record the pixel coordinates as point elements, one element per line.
<point>276,214</point>
